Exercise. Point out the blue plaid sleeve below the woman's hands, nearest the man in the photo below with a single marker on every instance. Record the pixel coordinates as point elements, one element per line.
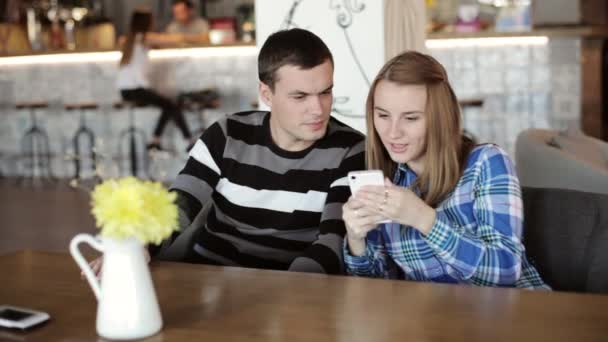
<point>374,263</point>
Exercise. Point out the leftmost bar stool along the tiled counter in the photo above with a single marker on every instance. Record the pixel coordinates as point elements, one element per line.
<point>35,144</point>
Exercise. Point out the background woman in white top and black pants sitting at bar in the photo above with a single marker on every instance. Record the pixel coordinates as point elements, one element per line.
<point>133,79</point>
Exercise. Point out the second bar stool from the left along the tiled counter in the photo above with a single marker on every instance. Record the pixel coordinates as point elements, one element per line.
<point>85,132</point>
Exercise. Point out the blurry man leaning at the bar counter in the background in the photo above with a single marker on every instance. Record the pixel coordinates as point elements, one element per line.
<point>194,28</point>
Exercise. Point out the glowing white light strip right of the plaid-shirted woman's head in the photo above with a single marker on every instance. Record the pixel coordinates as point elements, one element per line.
<point>483,42</point>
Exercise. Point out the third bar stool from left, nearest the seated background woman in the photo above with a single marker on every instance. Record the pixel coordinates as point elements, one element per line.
<point>132,134</point>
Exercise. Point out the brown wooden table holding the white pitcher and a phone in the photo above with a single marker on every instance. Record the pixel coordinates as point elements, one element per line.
<point>208,303</point>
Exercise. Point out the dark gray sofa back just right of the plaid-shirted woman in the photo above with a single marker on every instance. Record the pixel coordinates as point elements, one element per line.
<point>566,238</point>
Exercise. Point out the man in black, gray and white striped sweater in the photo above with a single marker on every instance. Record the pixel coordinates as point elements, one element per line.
<point>276,180</point>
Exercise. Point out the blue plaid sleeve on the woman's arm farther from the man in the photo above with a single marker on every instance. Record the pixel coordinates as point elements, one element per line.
<point>490,254</point>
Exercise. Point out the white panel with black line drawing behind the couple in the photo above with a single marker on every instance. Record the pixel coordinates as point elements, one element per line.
<point>354,32</point>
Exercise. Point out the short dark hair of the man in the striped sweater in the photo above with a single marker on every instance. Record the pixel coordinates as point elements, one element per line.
<point>296,47</point>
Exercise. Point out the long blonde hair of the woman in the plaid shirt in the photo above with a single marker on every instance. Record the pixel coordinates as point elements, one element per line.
<point>446,146</point>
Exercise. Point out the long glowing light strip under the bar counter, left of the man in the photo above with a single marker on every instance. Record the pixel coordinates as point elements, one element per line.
<point>114,56</point>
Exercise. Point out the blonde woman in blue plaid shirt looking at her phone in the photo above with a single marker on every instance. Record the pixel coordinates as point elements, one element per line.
<point>455,208</point>
